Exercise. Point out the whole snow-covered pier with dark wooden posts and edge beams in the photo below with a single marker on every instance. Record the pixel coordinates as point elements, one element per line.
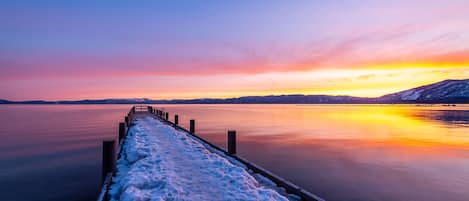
<point>159,160</point>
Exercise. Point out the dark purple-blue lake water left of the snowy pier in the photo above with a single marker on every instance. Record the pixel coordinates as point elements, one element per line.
<point>53,152</point>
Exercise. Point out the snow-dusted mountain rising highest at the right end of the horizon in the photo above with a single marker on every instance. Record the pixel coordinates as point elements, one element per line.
<point>441,92</point>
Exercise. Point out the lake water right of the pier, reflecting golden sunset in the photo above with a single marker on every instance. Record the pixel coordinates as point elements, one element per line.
<point>350,152</point>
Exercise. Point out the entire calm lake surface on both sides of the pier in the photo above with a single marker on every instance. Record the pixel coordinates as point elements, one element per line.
<point>339,152</point>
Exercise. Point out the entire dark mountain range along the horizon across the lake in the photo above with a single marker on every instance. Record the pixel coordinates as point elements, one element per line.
<point>447,91</point>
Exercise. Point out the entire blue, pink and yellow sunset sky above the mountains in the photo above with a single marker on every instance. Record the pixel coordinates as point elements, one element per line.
<point>66,50</point>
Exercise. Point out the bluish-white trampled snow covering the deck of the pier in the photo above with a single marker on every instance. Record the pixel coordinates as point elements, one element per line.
<point>159,162</point>
